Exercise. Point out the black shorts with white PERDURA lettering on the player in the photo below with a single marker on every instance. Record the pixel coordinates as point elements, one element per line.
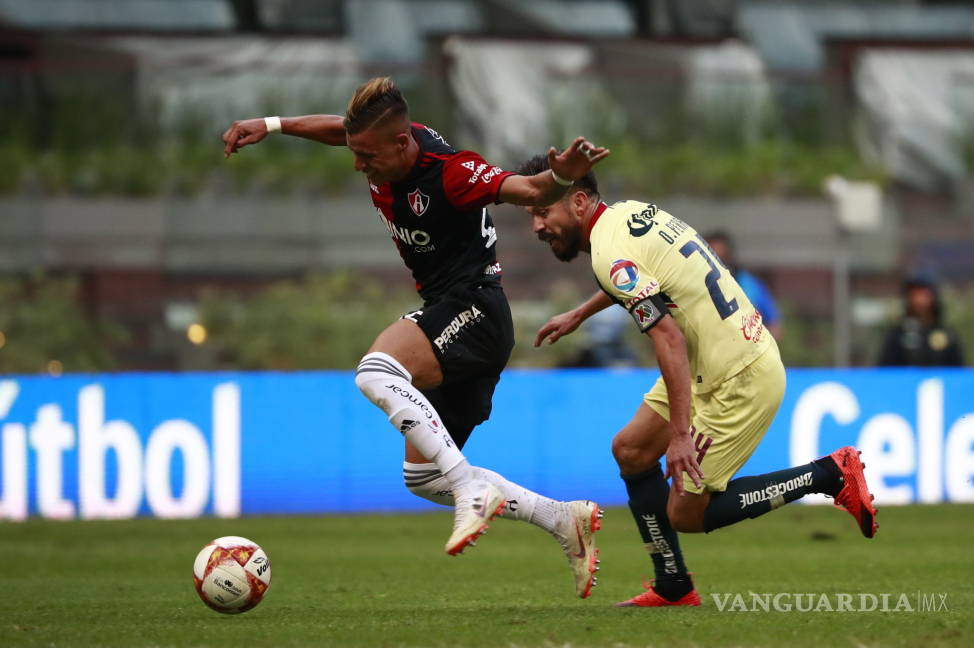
<point>472,335</point>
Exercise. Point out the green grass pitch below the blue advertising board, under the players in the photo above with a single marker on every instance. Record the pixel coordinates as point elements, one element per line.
<point>385,581</point>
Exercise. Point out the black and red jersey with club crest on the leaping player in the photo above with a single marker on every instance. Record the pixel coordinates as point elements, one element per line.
<point>437,215</point>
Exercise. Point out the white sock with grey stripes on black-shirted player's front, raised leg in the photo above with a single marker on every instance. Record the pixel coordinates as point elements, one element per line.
<point>386,383</point>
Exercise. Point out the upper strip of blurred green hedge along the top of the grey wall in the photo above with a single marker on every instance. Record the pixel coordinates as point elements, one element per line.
<point>282,166</point>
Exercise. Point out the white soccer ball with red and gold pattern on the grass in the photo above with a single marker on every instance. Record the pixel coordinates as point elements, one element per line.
<point>232,574</point>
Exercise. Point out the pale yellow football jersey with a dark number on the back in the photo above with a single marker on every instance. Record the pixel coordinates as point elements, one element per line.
<point>648,260</point>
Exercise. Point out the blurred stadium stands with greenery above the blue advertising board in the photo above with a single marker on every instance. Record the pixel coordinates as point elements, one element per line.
<point>123,226</point>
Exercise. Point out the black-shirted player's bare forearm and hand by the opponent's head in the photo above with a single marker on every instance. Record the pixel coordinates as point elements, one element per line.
<point>548,187</point>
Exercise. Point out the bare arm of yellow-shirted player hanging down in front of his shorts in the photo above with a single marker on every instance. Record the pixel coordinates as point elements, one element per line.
<point>671,352</point>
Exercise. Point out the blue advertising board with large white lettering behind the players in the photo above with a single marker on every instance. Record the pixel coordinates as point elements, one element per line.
<point>228,444</point>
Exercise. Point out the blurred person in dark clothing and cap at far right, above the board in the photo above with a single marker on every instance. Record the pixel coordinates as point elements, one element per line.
<point>920,339</point>
